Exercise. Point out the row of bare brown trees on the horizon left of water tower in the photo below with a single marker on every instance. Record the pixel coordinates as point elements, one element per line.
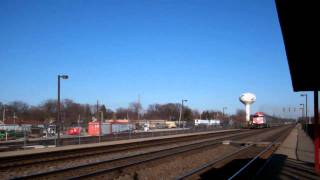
<point>46,112</point>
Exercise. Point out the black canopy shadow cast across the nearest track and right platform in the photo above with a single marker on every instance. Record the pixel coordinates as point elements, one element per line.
<point>278,167</point>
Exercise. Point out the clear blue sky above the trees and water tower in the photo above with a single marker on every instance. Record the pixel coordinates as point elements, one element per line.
<point>206,51</point>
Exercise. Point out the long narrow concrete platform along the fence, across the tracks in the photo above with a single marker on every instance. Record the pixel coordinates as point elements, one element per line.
<point>83,146</point>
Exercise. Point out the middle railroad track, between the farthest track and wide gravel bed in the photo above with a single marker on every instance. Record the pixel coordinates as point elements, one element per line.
<point>117,165</point>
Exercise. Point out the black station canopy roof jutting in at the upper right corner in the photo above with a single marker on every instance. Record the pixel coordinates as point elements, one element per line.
<point>299,21</point>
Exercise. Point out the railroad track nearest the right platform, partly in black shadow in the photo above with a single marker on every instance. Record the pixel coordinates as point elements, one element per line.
<point>256,158</point>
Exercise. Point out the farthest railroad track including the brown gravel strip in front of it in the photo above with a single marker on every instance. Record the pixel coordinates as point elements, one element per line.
<point>17,165</point>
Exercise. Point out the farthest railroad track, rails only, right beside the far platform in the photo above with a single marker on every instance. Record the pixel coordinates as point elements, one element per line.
<point>55,156</point>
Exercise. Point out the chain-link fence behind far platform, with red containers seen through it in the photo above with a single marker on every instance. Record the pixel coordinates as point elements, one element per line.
<point>26,136</point>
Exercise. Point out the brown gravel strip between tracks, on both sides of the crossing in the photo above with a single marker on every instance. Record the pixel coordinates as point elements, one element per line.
<point>173,167</point>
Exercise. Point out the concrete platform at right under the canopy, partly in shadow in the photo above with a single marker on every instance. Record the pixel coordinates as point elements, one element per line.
<point>293,159</point>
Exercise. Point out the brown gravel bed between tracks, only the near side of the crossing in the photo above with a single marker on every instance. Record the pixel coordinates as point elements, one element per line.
<point>170,167</point>
